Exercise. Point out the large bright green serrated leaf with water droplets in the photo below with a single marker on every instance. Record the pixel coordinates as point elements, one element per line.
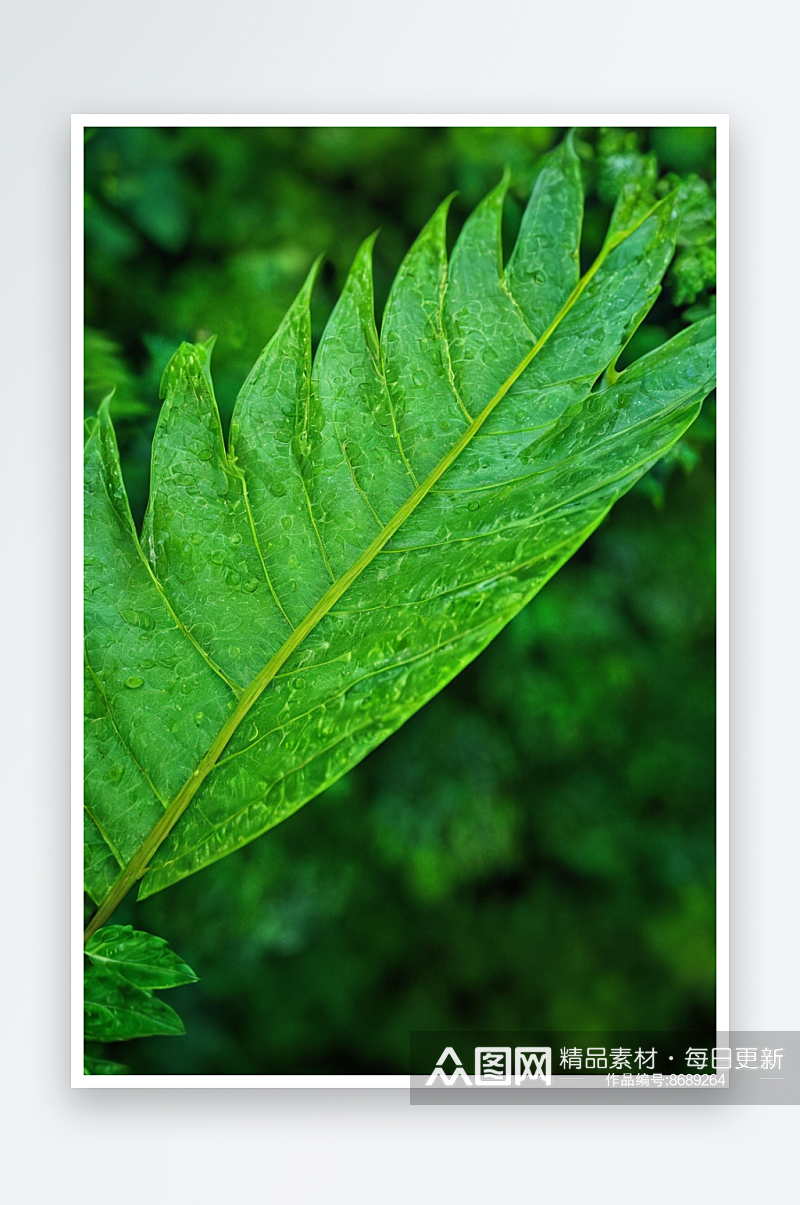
<point>380,514</point>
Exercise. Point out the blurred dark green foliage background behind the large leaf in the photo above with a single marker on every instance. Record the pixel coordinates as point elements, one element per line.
<point>537,847</point>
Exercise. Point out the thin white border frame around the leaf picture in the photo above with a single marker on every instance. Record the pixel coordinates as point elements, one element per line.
<point>723,437</point>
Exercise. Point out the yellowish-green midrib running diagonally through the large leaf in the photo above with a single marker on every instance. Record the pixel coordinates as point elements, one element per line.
<point>251,695</point>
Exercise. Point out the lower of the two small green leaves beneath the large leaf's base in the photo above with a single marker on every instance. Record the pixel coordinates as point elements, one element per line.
<point>114,1009</point>
